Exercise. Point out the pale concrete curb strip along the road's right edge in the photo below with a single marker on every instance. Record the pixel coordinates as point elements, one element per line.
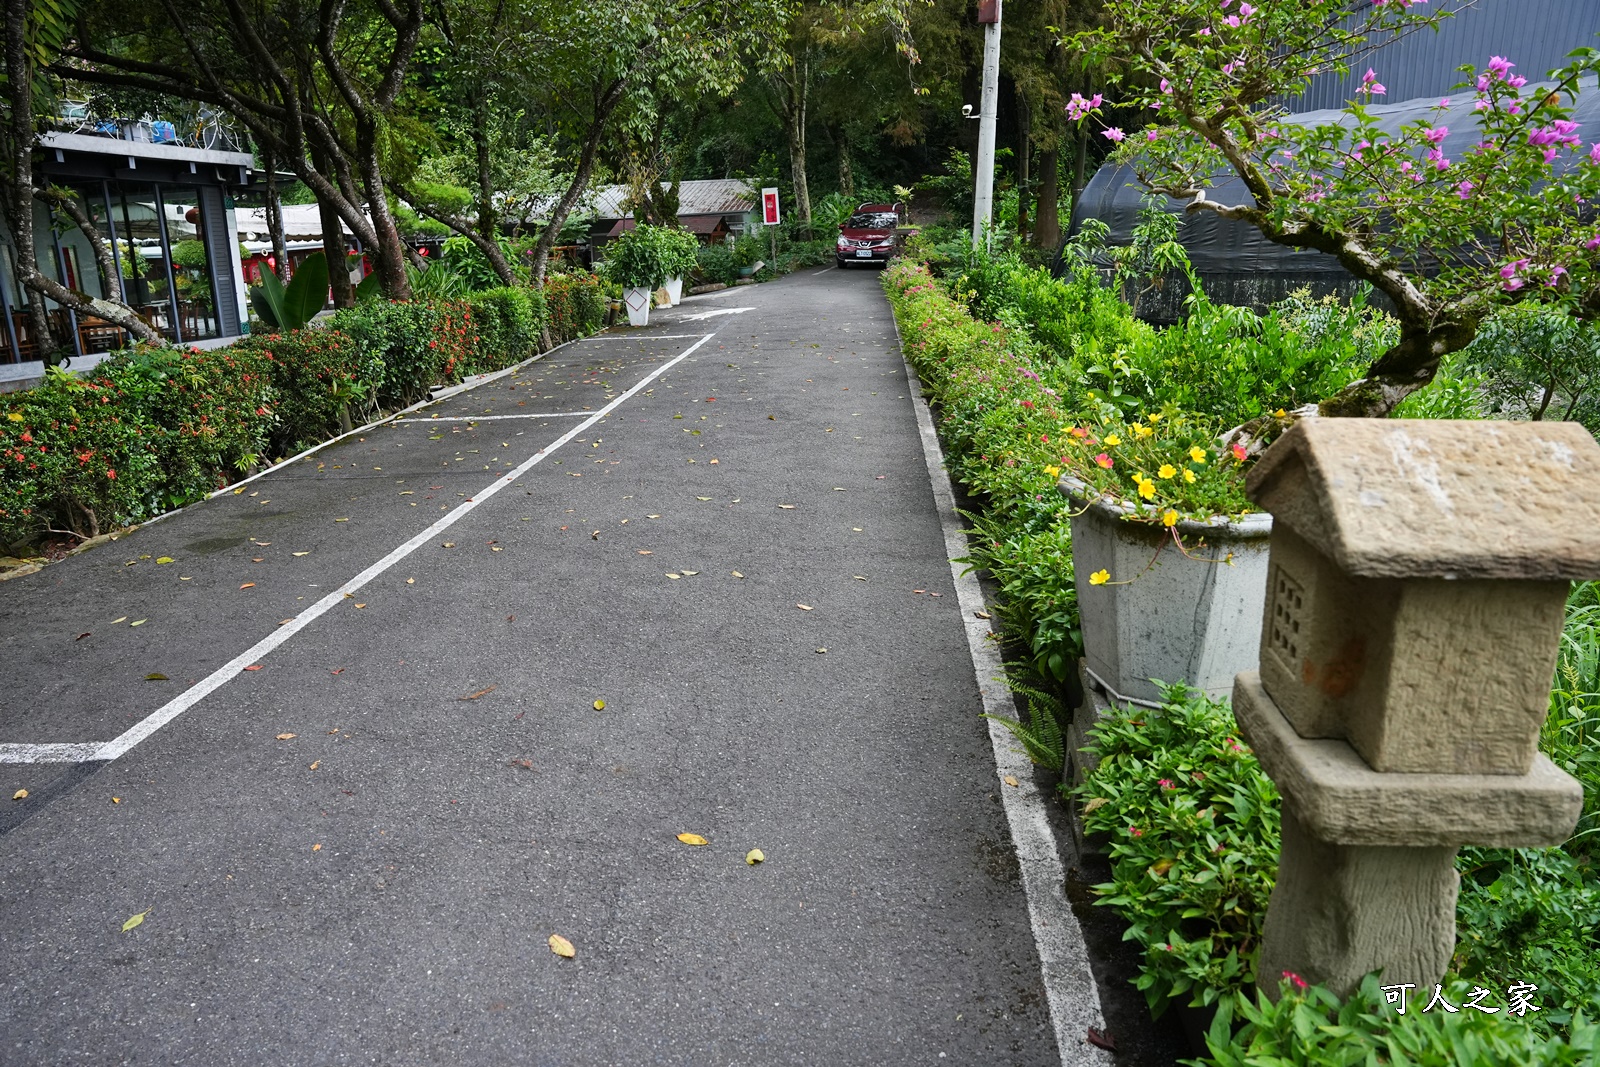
<point>1063,957</point>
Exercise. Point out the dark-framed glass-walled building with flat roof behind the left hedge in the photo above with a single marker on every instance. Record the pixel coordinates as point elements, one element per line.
<point>166,202</point>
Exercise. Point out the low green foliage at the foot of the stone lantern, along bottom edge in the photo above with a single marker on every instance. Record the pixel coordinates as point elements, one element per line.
<point>1313,1028</point>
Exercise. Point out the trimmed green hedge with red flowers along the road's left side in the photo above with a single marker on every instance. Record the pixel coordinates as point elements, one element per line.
<point>153,430</point>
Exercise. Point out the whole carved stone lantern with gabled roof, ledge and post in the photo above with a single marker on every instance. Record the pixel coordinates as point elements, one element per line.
<point>1417,586</point>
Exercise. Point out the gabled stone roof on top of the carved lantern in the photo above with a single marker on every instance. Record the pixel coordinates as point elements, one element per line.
<point>1422,498</point>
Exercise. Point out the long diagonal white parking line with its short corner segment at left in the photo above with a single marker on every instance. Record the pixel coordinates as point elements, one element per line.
<point>279,636</point>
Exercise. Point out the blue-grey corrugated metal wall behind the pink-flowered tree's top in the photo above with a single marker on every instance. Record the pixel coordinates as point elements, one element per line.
<point>1534,34</point>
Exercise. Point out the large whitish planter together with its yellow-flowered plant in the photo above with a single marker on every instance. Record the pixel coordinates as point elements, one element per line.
<point>1170,557</point>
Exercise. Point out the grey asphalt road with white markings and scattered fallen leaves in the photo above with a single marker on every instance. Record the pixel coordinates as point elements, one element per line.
<point>356,820</point>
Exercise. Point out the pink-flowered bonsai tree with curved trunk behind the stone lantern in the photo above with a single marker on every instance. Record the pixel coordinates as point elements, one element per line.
<point>1447,236</point>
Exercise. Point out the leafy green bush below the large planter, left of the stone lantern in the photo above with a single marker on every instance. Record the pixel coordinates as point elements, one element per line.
<point>1193,825</point>
